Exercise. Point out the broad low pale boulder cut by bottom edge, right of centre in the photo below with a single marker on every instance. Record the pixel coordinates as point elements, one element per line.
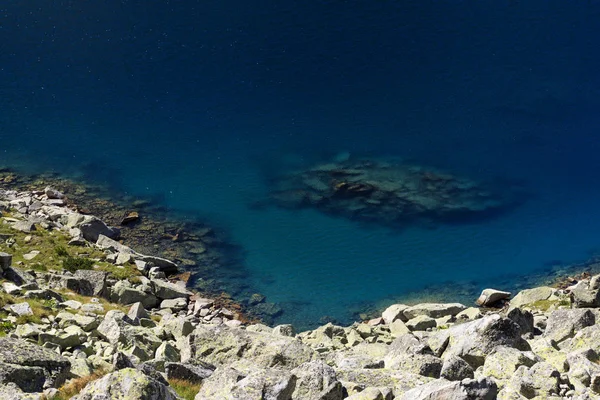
<point>467,389</point>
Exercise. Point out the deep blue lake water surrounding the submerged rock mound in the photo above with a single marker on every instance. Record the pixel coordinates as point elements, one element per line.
<point>194,102</point>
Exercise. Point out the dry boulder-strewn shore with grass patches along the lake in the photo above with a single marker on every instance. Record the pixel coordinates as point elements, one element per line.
<point>85,316</point>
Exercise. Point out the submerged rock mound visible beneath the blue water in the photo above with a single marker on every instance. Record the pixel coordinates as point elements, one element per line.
<point>386,193</point>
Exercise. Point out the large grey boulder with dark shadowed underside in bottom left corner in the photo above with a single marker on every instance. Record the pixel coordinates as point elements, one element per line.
<point>18,353</point>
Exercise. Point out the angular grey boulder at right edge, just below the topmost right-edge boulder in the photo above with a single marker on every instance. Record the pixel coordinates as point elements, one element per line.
<point>563,324</point>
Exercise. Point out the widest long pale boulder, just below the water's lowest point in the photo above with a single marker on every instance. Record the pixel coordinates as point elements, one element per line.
<point>221,345</point>
